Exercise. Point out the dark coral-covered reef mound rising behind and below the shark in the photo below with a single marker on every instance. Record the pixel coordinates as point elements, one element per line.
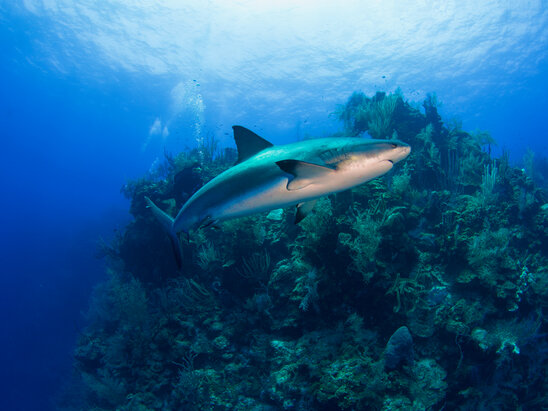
<point>266,315</point>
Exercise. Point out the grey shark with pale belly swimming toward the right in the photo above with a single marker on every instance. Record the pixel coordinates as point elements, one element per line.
<point>268,177</point>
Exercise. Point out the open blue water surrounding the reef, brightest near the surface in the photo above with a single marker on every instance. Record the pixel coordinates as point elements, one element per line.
<point>94,93</point>
